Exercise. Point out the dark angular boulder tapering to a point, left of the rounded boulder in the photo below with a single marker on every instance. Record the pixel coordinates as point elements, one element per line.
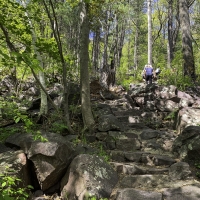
<point>50,158</point>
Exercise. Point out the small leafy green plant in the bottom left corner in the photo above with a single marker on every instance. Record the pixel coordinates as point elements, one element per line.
<point>9,189</point>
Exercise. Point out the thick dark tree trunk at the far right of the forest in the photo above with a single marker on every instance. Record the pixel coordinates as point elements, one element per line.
<point>187,49</point>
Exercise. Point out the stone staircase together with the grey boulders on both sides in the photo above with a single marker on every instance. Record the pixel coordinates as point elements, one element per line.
<point>149,137</point>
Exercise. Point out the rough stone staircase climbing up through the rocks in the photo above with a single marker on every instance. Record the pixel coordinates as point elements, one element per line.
<point>142,152</point>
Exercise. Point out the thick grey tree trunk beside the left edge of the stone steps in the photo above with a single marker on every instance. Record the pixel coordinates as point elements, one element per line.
<point>84,73</point>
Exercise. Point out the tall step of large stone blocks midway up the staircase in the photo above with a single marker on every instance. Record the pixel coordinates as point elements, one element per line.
<point>134,139</point>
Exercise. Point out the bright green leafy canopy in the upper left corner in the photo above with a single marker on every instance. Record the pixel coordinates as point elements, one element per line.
<point>20,23</point>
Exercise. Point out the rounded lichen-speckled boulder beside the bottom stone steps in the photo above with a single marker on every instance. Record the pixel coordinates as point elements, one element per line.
<point>88,176</point>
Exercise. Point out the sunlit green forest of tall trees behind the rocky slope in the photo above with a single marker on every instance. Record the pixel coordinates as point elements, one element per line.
<point>110,41</point>
